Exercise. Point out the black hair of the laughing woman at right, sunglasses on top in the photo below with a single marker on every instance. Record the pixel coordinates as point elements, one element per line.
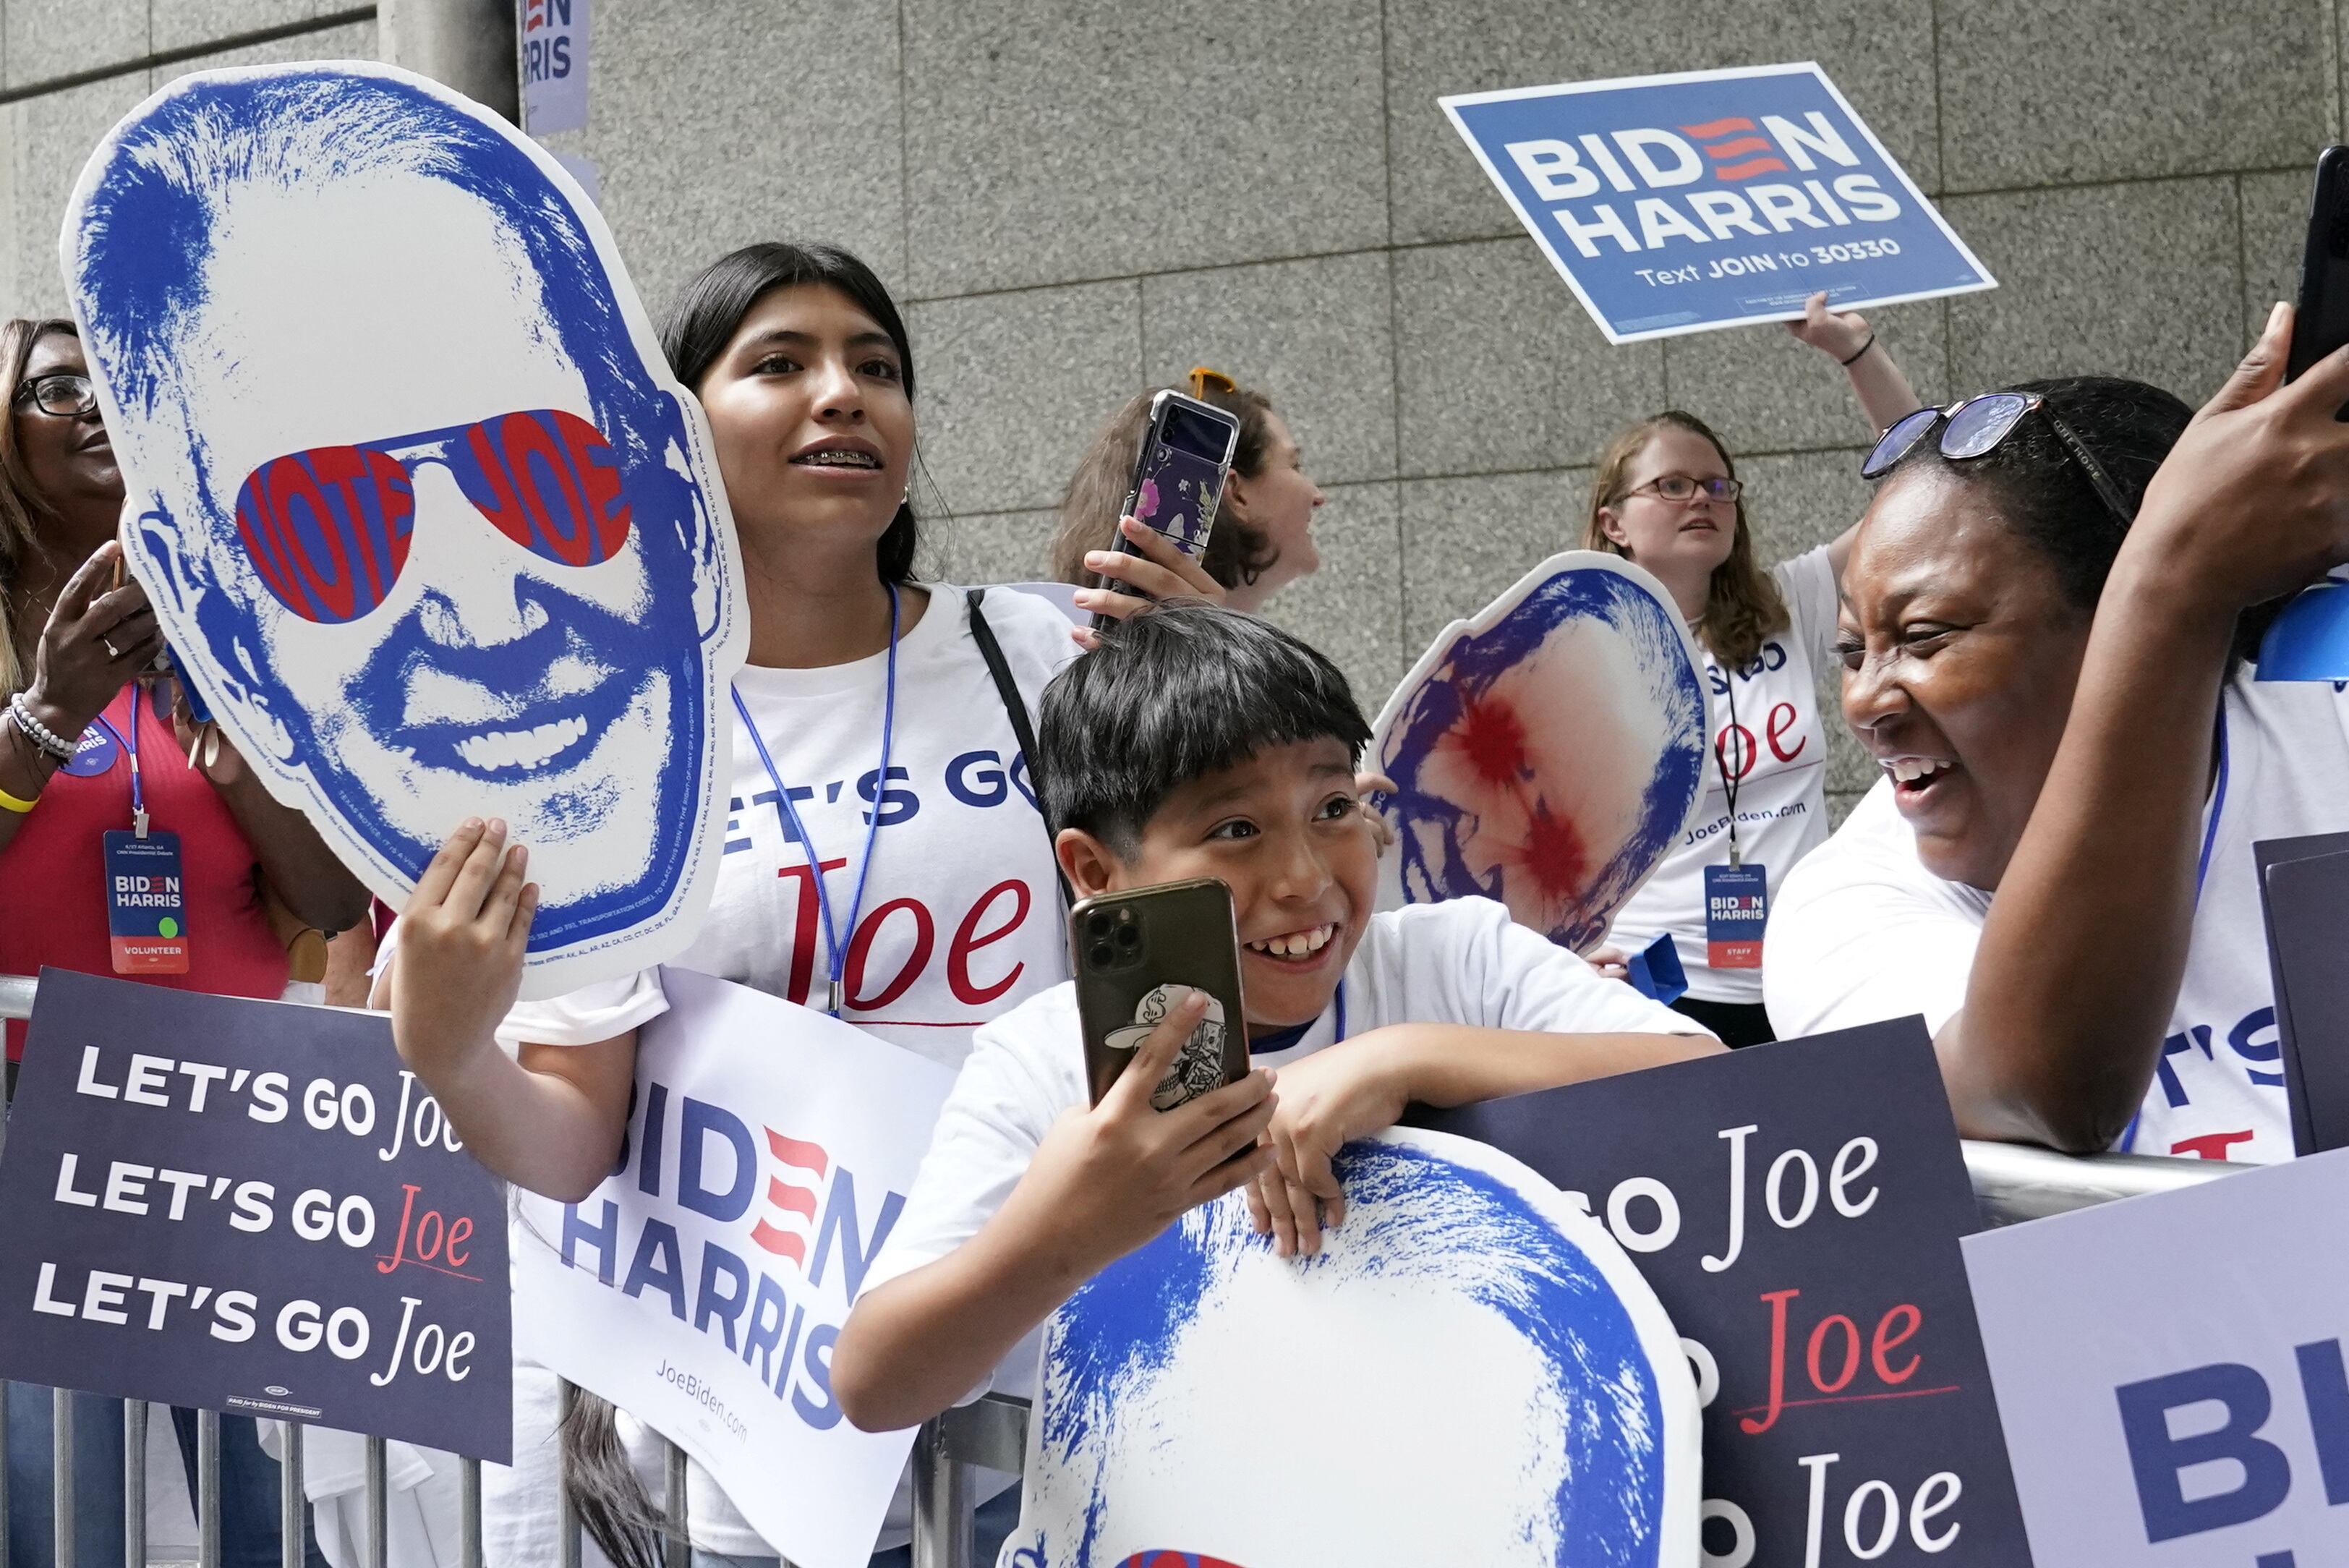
<point>2040,488</point>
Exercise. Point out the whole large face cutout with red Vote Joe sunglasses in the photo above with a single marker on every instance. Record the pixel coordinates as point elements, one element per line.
<point>424,511</point>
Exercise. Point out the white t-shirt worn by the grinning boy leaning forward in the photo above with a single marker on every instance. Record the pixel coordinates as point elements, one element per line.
<point>1462,963</point>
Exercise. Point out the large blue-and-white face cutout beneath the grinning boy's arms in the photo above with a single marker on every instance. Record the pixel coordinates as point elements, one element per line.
<point>1469,1374</point>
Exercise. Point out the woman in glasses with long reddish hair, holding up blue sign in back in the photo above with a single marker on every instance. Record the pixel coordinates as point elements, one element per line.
<point>1669,500</point>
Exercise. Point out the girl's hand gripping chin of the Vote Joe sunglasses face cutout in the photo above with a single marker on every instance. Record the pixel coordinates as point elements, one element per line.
<point>462,942</point>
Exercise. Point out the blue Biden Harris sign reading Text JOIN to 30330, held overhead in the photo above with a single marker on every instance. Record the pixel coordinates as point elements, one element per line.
<point>1709,199</point>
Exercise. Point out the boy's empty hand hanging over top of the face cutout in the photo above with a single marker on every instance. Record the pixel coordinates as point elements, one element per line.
<point>1352,1090</point>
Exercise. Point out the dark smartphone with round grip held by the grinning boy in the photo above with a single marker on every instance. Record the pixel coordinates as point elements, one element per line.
<point>1136,953</point>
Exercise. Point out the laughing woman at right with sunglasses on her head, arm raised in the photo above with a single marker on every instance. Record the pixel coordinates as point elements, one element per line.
<point>2050,610</point>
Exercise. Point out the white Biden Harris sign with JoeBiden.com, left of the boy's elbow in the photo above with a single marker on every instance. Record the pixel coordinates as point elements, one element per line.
<point>701,1287</point>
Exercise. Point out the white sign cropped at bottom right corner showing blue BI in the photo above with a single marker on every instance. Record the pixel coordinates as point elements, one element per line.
<point>2172,1379</point>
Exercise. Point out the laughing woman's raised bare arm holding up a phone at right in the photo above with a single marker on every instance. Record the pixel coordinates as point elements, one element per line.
<point>2087,939</point>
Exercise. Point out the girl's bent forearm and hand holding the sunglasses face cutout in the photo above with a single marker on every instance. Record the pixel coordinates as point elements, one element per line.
<point>551,1120</point>
